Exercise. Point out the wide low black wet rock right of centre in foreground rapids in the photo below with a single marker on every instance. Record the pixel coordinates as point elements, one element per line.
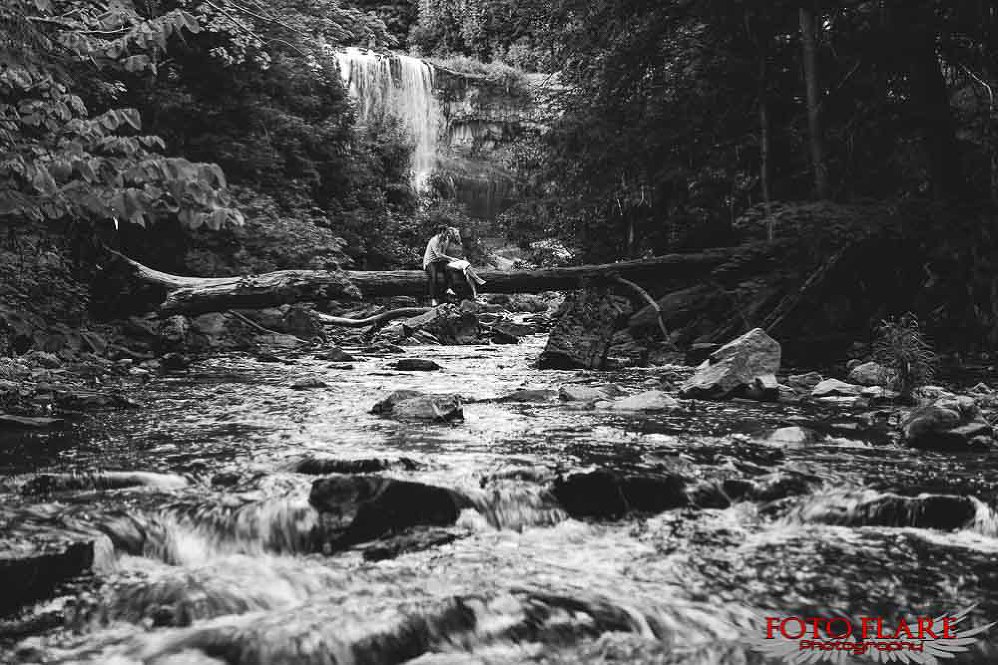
<point>613,494</point>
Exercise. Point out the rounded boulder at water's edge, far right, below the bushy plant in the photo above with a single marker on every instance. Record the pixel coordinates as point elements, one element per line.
<point>950,424</point>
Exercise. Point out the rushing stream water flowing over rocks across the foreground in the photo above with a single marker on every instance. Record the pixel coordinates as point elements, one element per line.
<point>211,558</point>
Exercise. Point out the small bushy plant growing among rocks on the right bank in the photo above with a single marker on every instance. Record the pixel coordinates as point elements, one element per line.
<point>903,350</point>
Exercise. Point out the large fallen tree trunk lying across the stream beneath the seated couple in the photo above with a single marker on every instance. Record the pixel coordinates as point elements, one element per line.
<point>130,287</point>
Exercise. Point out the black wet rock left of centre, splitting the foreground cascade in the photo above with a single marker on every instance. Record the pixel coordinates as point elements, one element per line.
<point>355,509</point>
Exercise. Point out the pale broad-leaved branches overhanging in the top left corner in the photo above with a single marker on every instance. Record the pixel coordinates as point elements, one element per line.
<point>60,161</point>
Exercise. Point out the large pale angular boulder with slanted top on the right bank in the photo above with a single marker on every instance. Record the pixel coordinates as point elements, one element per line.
<point>735,367</point>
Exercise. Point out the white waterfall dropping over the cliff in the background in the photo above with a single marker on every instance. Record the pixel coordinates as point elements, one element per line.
<point>401,86</point>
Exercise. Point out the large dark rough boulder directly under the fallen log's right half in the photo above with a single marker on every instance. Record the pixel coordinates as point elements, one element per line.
<point>582,336</point>
